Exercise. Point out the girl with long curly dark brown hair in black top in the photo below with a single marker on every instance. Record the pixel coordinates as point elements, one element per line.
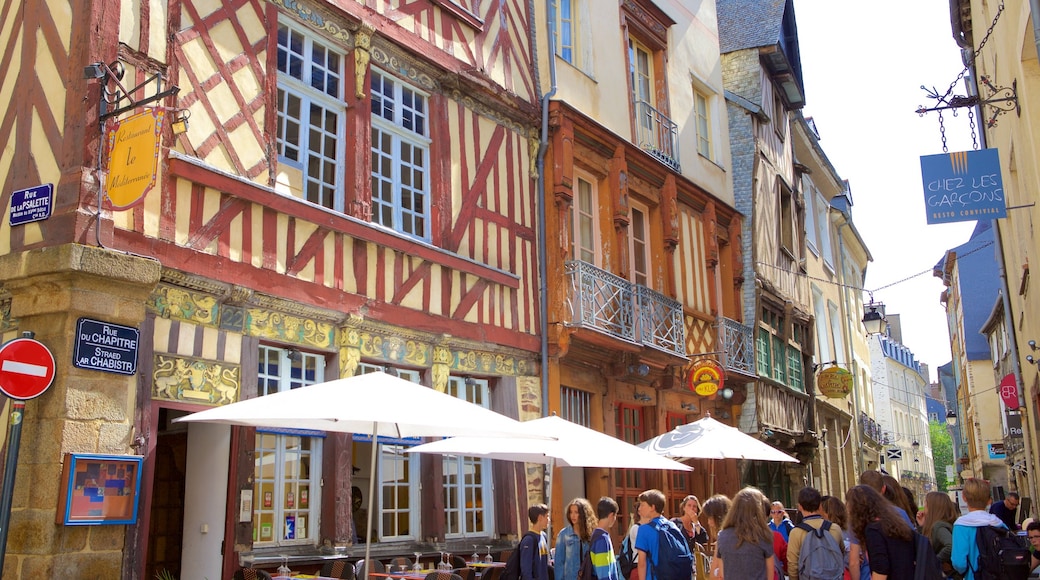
<point>887,536</point>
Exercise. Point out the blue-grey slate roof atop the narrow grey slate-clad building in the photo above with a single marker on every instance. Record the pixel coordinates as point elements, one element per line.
<point>745,24</point>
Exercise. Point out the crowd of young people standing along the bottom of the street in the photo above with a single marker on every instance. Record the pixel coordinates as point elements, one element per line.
<point>871,536</point>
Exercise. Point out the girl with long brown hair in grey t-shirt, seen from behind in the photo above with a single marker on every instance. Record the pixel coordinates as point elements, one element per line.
<point>745,545</point>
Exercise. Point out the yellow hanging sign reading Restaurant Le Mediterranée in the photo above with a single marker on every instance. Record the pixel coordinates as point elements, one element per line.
<point>134,159</point>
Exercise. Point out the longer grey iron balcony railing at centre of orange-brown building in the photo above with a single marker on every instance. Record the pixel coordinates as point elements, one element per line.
<point>612,305</point>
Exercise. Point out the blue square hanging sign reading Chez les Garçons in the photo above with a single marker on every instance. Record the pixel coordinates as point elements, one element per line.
<point>964,187</point>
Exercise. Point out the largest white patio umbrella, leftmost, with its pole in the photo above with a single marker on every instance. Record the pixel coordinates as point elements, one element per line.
<point>375,404</point>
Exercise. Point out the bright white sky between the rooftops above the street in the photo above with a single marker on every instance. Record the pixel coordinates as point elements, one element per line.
<point>864,65</point>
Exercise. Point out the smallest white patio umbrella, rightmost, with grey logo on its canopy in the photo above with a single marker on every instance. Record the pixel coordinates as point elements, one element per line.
<point>709,439</point>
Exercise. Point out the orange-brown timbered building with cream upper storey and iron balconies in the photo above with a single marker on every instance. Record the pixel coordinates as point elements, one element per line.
<point>644,245</point>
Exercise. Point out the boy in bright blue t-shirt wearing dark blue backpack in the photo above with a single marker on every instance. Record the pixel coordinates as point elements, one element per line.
<point>663,552</point>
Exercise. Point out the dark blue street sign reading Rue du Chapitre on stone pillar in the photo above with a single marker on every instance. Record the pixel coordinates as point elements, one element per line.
<point>106,348</point>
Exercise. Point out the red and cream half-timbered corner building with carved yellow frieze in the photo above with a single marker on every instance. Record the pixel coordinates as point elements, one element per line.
<point>339,187</point>
